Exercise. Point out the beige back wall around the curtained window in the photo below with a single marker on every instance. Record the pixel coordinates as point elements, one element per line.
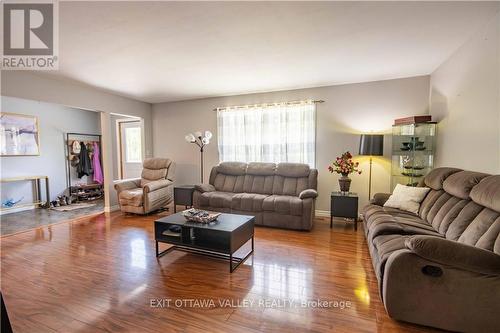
<point>348,111</point>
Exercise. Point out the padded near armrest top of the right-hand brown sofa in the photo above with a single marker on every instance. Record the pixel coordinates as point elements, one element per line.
<point>455,254</point>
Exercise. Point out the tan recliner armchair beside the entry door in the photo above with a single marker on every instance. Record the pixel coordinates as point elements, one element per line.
<point>154,190</point>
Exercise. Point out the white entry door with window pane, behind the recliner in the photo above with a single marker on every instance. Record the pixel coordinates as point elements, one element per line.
<point>131,149</point>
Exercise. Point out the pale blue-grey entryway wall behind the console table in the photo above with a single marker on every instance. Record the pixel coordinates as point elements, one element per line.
<point>54,121</point>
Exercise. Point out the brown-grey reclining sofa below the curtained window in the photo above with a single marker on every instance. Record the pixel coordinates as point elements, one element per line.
<point>278,195</point>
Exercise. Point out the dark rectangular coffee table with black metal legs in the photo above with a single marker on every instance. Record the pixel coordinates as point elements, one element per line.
<point>219,239</point>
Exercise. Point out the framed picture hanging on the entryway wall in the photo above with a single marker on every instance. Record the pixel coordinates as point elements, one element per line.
<point>19,135</point>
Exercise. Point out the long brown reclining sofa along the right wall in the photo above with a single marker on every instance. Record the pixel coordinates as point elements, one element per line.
<point>441,268</point>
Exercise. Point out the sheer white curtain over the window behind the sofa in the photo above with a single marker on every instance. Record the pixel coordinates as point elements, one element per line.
<point>277,133</point>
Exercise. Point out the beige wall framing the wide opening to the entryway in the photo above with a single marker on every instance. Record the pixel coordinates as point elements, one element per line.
<point>36,87</point>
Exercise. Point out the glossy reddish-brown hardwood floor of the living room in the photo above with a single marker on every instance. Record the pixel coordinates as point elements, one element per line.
<point>101,275</point>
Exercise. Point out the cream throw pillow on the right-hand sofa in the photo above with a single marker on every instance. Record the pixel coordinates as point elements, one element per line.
<point>407,198</point>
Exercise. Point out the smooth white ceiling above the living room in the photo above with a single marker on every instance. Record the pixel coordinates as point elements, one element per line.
<point>167,51</point>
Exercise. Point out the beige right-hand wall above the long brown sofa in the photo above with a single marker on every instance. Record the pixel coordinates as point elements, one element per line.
<point>465,99</point>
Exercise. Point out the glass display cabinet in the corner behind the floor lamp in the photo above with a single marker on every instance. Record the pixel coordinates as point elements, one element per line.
<point>413,149</point>
